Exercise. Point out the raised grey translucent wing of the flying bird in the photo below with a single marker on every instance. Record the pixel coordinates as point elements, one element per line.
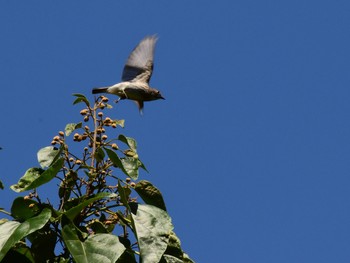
<point>139,65</point>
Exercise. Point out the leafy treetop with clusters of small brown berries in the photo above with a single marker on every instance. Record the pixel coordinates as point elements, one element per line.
<point>98,216</point>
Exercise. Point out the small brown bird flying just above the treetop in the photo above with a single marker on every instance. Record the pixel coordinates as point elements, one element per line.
<point>136,76</point>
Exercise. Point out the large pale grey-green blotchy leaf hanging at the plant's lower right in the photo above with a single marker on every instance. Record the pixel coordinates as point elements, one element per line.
<point>153,227</point>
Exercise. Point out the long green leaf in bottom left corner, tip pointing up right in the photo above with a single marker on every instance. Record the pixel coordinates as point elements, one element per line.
<point>11,232</point>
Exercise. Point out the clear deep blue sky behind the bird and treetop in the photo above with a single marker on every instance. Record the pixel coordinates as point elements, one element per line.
<point>250,147</point>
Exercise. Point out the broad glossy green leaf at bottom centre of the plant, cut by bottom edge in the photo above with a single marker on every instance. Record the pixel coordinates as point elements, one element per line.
<point>102,248</point>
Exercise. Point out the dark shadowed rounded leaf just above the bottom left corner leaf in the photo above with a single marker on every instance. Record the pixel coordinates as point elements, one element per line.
<point>23,209</point>
